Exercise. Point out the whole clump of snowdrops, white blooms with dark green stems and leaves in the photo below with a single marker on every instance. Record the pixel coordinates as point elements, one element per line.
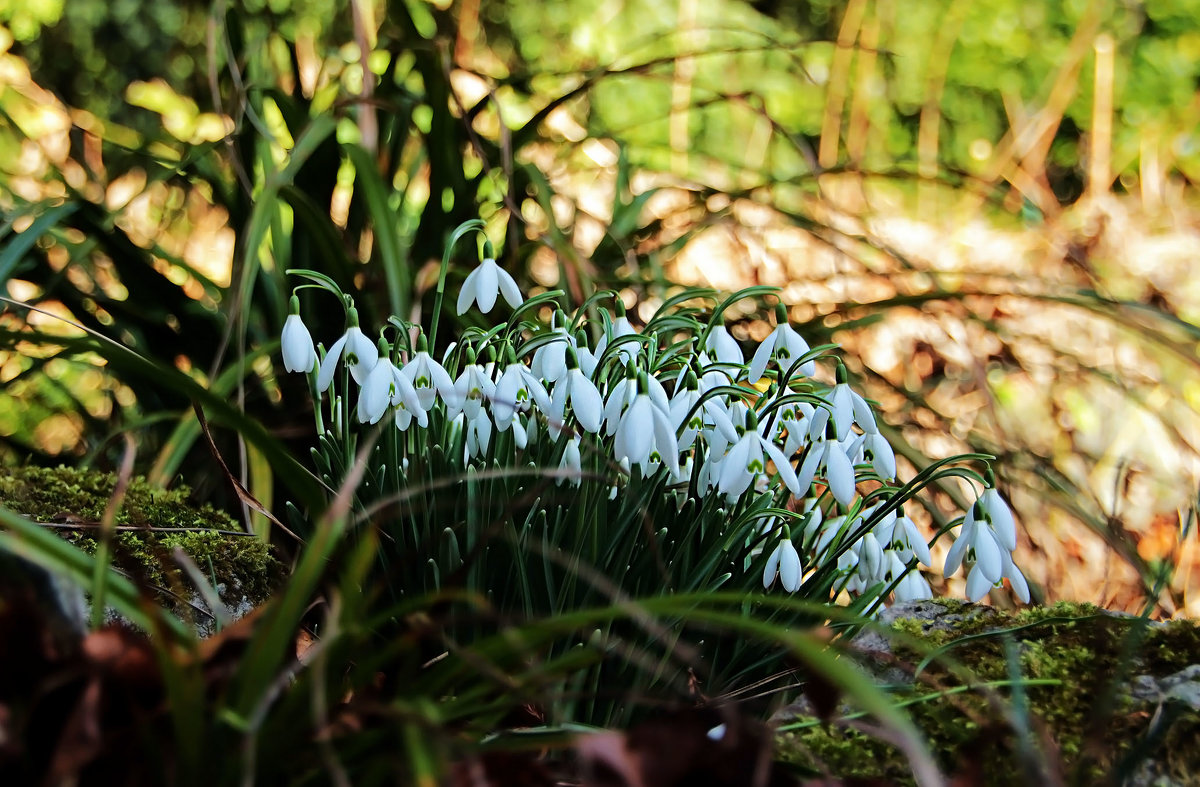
<point>547,466</point>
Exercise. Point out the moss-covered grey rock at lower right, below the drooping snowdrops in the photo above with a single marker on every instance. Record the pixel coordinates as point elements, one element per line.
<point>955,665</point>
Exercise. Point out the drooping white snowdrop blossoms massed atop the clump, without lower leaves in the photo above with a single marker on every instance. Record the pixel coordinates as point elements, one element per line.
<point>676,400</point>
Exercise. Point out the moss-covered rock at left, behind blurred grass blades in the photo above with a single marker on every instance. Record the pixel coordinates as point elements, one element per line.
<point>242,568</point>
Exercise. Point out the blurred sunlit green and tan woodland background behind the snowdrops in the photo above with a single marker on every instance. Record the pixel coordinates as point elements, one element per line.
<point>992,207</point>
